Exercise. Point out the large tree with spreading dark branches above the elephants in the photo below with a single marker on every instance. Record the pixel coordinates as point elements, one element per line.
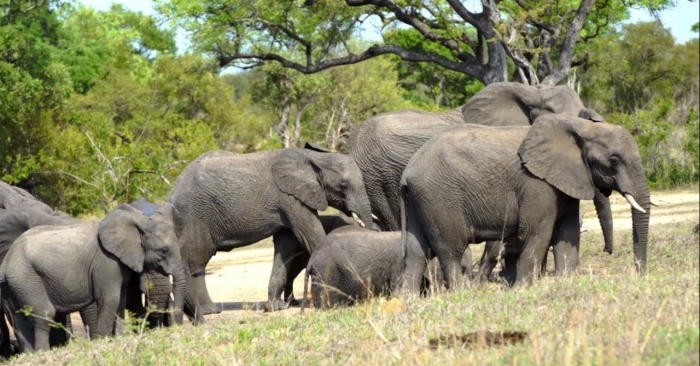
<point>311,36</point>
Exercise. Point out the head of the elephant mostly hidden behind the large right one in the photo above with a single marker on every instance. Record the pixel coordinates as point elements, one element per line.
<point>515,104</point>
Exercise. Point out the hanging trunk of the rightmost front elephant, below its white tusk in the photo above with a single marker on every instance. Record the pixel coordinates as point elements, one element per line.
<point>640,220</point>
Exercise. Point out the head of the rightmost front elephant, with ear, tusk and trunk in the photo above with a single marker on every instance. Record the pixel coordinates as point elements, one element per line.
<point>578,157</point>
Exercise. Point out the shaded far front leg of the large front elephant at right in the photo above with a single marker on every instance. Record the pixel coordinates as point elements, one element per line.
<point>566,240</point>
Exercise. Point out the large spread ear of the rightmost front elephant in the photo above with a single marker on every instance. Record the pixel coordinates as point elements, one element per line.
<point>552,151</point>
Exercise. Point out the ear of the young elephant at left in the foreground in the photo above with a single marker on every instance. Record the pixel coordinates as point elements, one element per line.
<point>121,232</point>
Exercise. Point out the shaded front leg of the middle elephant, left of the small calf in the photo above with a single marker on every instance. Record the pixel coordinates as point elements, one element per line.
<point>286,246</point>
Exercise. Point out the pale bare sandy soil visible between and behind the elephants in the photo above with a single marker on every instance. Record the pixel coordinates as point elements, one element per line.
<point>238,279</point>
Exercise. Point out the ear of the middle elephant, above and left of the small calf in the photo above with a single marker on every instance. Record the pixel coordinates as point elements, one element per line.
<point>296,174</point>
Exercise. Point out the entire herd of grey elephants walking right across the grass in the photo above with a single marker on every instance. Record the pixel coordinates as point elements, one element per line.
<point>413,190</point>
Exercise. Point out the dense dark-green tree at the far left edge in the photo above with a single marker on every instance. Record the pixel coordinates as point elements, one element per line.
<point>33,83</point>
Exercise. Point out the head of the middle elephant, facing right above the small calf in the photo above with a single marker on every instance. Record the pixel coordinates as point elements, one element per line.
<point>322,179</point>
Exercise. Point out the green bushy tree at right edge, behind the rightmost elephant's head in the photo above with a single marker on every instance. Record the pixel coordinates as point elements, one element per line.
<point>646,82</point>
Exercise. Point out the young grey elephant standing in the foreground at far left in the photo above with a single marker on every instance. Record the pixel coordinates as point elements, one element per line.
<point>51,271</point>
